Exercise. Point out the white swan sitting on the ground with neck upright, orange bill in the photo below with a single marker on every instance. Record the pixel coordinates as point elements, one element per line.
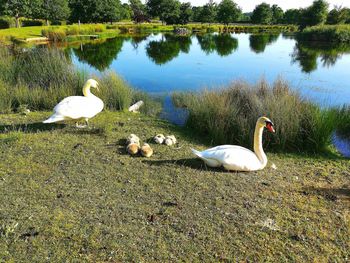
<point>237,158</point>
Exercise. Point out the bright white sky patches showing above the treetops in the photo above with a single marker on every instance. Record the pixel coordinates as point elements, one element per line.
<point>249,5</point>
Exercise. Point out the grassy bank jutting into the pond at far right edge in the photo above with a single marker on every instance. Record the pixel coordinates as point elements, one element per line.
<point>326,33</point>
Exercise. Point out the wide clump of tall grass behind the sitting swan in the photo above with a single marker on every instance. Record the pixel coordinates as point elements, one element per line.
<point>229,116</point>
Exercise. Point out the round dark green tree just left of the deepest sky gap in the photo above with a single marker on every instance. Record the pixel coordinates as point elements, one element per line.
<point>228,12</point>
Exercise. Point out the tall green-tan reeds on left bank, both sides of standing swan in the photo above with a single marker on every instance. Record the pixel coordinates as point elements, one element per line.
<point>38,79</point>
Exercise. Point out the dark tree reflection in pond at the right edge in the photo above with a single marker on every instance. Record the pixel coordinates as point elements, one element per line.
<point>307,54</point>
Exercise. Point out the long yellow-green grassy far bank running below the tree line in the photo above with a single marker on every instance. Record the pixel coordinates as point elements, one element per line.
<point>71,32</point>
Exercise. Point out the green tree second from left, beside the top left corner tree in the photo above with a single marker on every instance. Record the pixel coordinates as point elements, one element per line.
<point>54,10</point>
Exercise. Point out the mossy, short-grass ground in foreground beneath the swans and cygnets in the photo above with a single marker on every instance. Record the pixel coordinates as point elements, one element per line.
<point>72,194</point>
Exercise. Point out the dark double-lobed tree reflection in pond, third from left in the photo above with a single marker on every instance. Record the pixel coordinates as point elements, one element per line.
<point>223,44</point>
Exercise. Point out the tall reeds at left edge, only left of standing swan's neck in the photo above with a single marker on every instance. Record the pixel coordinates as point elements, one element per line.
<point>38,78</point>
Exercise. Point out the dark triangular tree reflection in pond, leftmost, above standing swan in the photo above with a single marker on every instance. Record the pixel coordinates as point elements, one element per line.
<point>100,55</point>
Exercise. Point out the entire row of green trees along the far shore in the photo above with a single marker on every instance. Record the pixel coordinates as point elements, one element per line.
<point>170,12</point>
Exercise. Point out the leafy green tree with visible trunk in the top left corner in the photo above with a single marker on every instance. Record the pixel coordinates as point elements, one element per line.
<point>19,8</point>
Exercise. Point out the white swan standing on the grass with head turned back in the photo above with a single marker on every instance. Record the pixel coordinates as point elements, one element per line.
<point>78,107</point>
